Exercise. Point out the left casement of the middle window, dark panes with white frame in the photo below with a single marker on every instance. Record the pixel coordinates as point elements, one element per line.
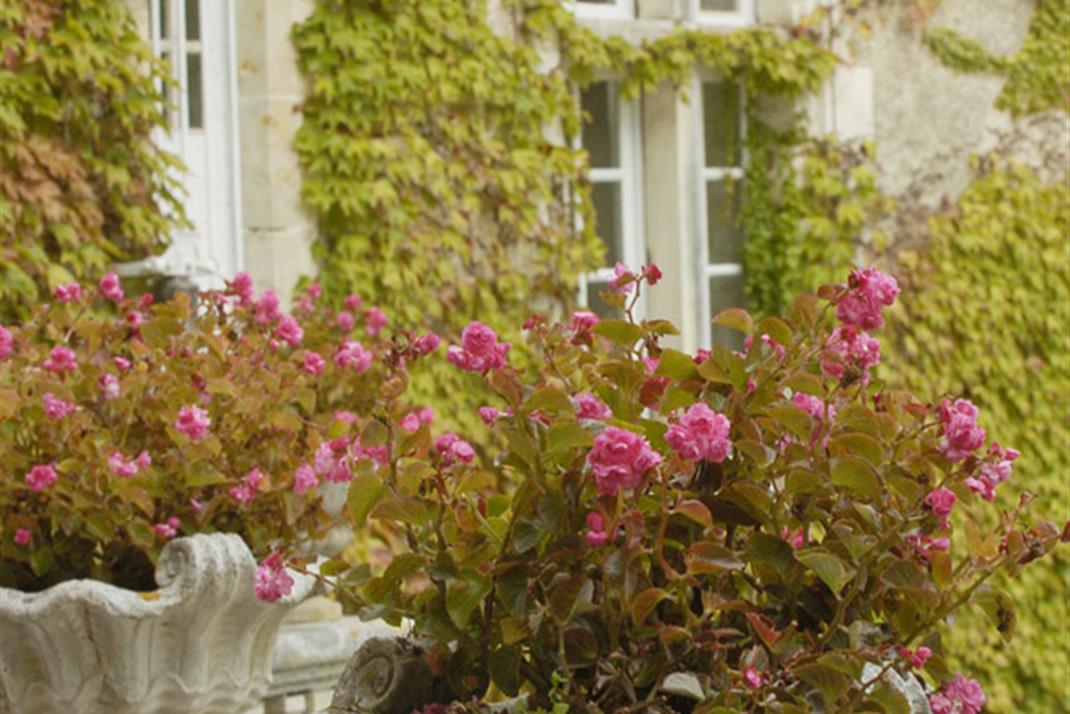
<point>612,138</point>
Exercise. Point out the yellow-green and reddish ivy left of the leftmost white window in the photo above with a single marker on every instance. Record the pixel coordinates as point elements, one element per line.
<point>82,186</point>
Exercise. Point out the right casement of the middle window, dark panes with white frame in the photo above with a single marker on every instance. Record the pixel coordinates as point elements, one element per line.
<point>723,132</point>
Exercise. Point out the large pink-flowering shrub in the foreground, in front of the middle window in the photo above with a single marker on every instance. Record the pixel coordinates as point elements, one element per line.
<point>744,530</point>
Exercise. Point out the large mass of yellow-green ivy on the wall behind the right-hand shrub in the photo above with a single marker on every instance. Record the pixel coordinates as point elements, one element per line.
<point>985,314</point>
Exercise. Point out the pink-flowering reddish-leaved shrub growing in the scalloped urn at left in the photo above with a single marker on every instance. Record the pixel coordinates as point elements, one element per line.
<point>119,434</point>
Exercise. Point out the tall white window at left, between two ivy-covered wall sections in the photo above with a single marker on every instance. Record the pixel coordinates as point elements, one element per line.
<point>196,40</point>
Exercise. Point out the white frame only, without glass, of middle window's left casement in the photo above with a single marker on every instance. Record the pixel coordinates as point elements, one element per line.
<point>630,176</point>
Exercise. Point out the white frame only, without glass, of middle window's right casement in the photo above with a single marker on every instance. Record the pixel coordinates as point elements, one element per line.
<point>707,175</point>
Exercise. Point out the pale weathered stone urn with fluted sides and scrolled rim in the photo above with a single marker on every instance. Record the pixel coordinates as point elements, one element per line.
<point>201,644</point>
